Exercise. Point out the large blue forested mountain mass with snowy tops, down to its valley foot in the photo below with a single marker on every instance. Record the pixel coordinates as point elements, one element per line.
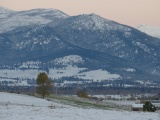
<point>86,47</point>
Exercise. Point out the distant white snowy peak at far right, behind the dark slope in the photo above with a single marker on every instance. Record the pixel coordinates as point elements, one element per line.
<point>150,30</point>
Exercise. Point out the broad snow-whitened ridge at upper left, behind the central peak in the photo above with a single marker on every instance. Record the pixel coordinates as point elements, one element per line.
<point>11,20</point>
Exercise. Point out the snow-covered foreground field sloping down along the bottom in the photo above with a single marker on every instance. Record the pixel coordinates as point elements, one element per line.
<point>21,107</point>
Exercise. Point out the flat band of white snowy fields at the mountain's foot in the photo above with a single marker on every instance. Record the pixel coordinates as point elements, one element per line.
<point>69,71</point>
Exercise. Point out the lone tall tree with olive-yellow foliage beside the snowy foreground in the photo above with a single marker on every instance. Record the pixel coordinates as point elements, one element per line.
<point>43,84</point>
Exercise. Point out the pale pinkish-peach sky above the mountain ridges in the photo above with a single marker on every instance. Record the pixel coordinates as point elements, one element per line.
<point>129,12</point>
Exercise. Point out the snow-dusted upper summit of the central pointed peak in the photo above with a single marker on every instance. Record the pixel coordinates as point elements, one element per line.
<point>93,22</point>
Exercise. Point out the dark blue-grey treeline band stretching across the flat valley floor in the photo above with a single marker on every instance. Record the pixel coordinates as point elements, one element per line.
<point>71,90</point>
